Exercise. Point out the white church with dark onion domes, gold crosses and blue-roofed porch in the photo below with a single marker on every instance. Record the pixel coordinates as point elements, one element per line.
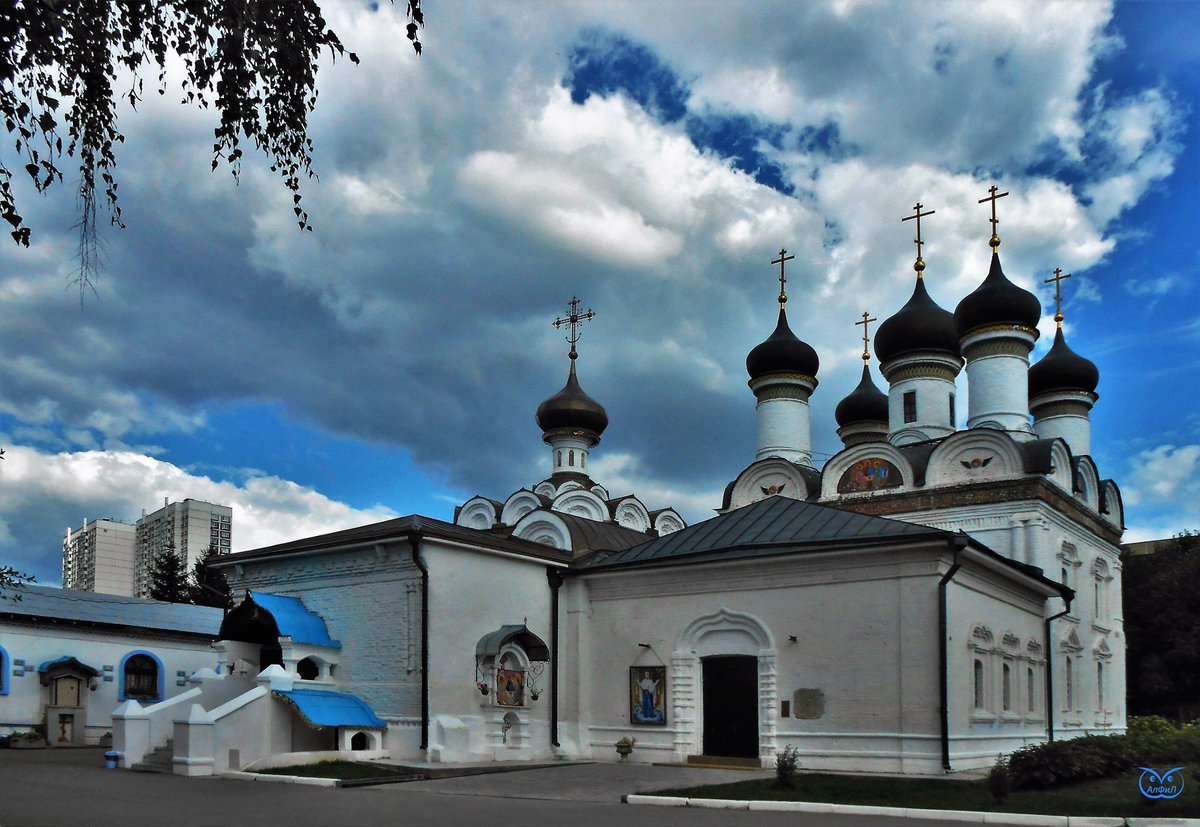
<point>928,600</point>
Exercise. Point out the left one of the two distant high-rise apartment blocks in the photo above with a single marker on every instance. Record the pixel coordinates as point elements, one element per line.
<point>100,558</point>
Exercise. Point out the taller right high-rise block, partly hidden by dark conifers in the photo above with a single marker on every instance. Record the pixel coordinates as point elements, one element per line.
<point>189,528</point>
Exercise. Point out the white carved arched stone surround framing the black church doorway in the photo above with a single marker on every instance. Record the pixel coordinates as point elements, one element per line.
<point>723,633</point>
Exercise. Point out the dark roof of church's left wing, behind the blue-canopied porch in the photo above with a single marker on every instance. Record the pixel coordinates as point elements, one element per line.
<point>391,530</point>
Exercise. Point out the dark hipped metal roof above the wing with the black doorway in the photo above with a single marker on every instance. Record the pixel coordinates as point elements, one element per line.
<point>769,528</point>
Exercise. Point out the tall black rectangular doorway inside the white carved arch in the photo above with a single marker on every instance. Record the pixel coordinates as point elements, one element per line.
<point>731,706</point>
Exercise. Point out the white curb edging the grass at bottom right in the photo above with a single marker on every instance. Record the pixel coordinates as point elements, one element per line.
<point>1016,819</point>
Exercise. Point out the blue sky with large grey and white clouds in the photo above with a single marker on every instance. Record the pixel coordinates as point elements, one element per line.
<point>651,161</point>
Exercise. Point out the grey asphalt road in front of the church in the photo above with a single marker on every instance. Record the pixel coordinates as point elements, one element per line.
<point>61,788</point>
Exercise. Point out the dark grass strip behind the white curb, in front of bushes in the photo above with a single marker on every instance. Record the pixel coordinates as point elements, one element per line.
<point>1103,798</point>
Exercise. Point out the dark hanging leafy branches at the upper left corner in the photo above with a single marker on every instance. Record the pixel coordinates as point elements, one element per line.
<point>64,64</point>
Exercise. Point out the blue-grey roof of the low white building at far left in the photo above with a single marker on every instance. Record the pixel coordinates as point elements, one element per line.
<point>44,603</point>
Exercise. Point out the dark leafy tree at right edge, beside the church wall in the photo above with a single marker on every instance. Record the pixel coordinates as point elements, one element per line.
<point>1162,622</point>
